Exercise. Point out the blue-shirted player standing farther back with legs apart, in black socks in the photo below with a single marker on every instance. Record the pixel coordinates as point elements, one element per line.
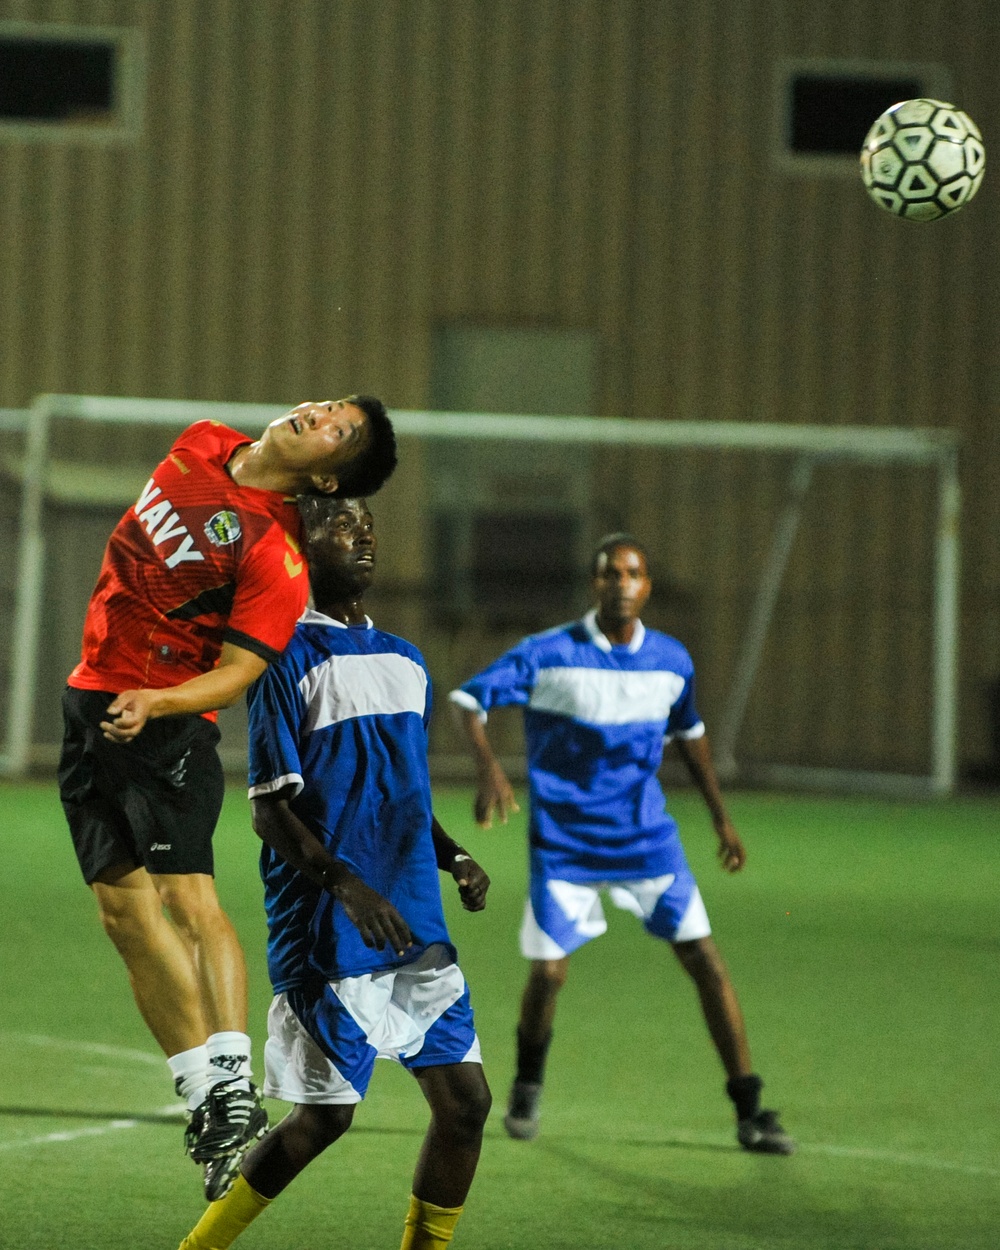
<point>601,698</point>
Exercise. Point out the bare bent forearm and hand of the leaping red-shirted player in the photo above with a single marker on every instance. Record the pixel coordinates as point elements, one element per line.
<point>218,688</point>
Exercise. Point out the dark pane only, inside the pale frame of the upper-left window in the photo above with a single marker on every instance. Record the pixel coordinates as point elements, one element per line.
<point>53,81</point>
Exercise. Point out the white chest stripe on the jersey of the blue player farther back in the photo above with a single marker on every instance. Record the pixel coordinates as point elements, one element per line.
<point>607,697</point>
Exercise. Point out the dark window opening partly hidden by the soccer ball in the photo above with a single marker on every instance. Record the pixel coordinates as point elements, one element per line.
<point>833,116</point>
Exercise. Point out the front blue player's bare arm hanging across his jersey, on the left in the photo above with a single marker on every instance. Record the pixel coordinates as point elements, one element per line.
<point>374,917</point>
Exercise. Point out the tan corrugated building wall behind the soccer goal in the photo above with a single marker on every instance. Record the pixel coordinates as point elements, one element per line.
<point>318,186</point>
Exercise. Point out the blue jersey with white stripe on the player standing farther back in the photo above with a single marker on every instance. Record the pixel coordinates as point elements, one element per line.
<point>597,717</point>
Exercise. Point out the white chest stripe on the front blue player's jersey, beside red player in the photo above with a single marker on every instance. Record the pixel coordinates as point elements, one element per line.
<point>346,687</point>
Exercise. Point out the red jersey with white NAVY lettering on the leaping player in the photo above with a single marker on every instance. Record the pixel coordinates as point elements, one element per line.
<point>196,563</point>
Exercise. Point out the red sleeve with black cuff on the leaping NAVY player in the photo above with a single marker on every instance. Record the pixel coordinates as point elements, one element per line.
<point>272,594</point>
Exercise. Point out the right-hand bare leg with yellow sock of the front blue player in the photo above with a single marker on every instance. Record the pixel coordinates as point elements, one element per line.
<point>459,1101</point>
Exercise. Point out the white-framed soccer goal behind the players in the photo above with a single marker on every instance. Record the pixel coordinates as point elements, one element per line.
<point>84,459</point>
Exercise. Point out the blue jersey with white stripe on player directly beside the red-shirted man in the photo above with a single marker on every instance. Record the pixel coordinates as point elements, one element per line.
<point>343,718</point>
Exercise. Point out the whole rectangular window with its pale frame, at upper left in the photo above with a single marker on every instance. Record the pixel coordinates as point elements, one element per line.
<point>71,84</point>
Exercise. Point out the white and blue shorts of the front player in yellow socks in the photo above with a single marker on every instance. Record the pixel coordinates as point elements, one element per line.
<point>323,1041</point>
